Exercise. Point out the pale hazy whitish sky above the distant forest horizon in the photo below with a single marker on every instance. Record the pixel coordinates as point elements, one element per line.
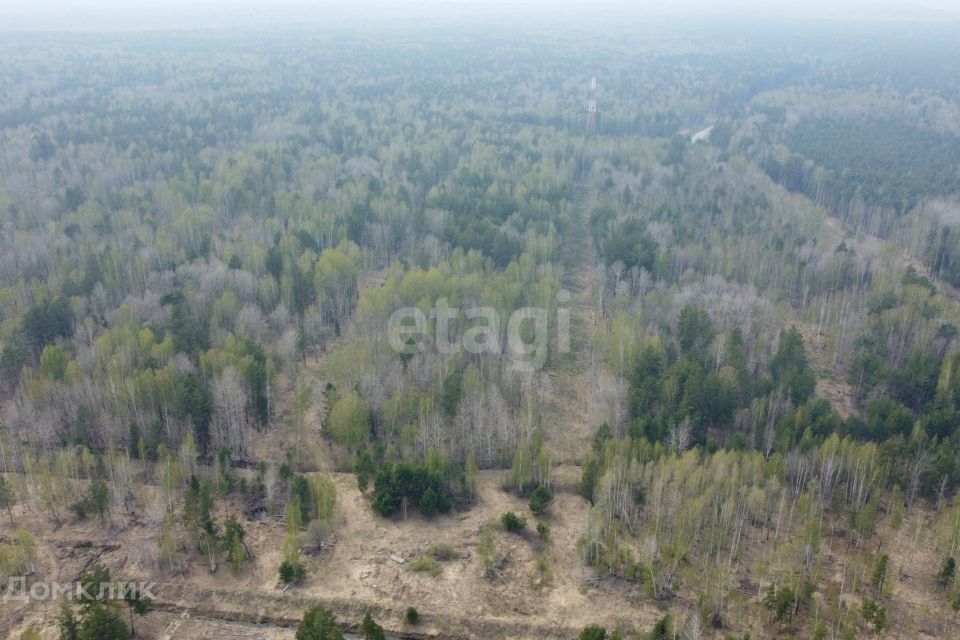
<point>113,15</point>
